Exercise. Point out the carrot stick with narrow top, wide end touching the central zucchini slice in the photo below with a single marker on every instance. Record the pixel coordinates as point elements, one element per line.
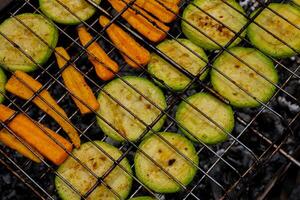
<point>76,84</point>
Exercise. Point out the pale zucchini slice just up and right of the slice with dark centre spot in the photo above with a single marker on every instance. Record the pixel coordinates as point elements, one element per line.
<point>198,125</point>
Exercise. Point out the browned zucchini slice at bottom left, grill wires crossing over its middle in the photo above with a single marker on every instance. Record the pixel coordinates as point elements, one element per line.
<point>82,180</point>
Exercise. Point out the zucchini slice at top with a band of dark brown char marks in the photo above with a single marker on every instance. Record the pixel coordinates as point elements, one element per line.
<point>203,23</point>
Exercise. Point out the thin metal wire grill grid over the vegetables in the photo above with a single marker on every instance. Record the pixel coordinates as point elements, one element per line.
<point>173,98</point>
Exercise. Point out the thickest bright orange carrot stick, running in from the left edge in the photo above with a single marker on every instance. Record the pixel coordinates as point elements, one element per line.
<point>26,128</point>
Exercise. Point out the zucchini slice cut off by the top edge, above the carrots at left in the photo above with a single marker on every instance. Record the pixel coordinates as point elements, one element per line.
<point>67,14</point>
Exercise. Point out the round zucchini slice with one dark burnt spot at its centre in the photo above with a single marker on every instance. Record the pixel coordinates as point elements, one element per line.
<point>175,164</point>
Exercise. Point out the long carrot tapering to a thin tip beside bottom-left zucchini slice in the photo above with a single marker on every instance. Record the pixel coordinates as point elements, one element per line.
<point>24,86</point>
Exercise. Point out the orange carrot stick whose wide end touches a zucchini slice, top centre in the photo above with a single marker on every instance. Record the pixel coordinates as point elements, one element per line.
<point>134,54</point>
